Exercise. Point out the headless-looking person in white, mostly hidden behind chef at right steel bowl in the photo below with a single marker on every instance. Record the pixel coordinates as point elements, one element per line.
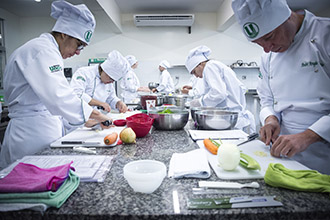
<point>195,87</point>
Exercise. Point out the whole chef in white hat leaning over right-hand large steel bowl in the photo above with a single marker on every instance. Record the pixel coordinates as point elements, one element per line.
<point>222,88</point>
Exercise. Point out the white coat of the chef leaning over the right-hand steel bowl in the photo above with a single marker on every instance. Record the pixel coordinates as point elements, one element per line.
<point>223,89</point>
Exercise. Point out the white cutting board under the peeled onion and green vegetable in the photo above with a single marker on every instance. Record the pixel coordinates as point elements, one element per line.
<point>254,149</point>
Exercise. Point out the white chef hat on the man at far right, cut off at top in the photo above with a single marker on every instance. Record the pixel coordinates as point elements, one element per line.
<point>259,17</point>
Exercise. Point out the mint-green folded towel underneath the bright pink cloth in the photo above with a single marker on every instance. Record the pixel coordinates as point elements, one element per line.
<point>53,199</point>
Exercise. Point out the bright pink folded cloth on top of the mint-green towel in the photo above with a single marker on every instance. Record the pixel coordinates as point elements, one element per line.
<point>30,178</point>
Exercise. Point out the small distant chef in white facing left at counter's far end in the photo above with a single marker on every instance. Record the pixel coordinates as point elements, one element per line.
<point>166,84</point>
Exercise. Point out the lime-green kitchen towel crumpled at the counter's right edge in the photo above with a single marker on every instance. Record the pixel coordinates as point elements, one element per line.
<point>301,180</point>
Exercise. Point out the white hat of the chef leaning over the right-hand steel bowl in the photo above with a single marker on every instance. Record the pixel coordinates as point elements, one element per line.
<point>196,56</point>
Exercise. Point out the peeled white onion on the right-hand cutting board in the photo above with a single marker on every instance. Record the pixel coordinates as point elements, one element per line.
<point>228,156</point>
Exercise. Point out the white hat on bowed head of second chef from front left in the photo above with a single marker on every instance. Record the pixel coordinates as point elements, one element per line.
<point>116,66</point>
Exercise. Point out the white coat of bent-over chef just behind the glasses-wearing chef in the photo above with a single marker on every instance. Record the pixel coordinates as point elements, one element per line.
<point>87,84</point>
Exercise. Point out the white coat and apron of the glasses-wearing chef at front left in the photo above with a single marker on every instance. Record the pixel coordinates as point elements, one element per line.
<point>37,94</point>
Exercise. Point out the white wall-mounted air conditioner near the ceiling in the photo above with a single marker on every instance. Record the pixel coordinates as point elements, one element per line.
<point>164,20</point>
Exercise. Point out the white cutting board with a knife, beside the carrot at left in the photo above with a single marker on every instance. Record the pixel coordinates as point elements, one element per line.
<point>87,134</point>
